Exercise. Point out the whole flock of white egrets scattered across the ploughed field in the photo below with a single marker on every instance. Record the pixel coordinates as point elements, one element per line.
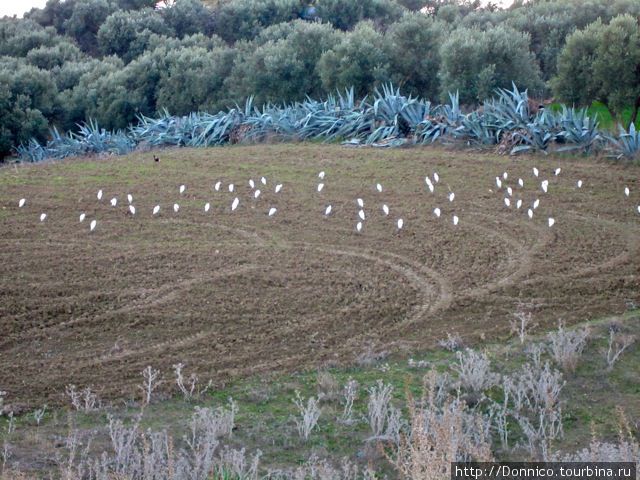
<point>512,198</point>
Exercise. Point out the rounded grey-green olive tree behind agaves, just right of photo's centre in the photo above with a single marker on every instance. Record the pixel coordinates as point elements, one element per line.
<point>359,61</point>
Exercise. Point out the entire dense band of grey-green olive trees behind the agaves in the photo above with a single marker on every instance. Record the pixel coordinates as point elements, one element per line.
<point>112,60</point>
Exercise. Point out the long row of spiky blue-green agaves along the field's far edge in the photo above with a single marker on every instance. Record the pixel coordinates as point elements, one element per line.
<point>387,119</point>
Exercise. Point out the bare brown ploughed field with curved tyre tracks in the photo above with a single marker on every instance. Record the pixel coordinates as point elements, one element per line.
<point>237,293</point>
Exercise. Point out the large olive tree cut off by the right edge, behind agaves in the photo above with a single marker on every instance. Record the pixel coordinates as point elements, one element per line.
<point>602,62</point>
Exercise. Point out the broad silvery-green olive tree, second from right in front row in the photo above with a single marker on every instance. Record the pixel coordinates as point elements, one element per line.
<point>476,62</point>
